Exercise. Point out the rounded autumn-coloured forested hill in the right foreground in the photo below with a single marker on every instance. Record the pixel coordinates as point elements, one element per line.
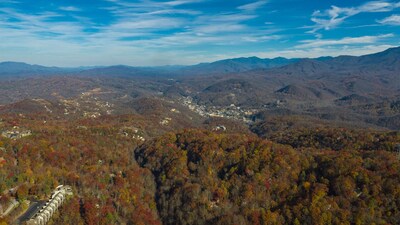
<point>209,178</point>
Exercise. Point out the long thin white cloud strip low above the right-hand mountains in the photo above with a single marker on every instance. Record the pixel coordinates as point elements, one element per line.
<point>344,41</point>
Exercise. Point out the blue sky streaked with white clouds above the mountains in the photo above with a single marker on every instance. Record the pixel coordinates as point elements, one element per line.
<point>146,33</point>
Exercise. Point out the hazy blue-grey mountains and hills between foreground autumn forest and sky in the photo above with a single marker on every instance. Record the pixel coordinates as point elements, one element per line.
<point>363,90</point>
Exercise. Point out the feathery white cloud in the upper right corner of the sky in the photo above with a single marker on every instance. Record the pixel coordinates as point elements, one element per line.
<point>333,17</point>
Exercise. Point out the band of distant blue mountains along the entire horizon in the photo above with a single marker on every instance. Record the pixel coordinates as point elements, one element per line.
<point>386,59</point>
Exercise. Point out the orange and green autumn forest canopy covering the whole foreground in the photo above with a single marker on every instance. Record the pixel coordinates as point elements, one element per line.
<point>198,176</point>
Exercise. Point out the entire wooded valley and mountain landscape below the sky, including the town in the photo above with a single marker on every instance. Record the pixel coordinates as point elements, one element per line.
<point>240,141</point>
